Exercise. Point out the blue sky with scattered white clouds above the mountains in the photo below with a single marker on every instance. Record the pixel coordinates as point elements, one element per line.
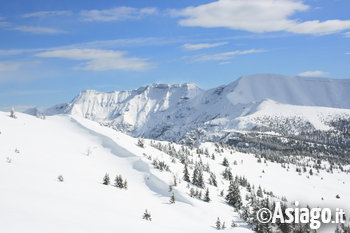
<point>50,50</point>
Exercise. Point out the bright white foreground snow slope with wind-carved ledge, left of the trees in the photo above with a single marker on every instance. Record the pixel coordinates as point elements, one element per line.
<point>34,152</point>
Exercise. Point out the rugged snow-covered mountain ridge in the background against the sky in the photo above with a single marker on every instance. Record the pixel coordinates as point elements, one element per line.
<point>173,112</point>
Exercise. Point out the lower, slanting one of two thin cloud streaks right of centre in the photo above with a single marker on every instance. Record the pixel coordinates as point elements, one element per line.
<point>224,56</point>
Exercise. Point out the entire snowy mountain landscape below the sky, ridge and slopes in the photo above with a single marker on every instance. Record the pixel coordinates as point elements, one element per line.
<point>234,139</point>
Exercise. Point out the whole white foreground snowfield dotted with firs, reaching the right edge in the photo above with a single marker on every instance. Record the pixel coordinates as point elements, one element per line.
<point>34,152</point>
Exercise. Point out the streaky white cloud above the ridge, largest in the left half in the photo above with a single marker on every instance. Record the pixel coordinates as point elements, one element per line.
<point>99,60</point>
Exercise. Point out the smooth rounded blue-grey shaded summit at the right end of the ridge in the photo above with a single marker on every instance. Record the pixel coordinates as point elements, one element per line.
<point>333,93</point>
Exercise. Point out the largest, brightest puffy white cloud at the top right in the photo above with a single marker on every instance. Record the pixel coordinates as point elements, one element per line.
<point>257,16</point>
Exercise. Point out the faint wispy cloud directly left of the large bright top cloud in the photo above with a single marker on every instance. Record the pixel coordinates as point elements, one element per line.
<point>116,14</point>
